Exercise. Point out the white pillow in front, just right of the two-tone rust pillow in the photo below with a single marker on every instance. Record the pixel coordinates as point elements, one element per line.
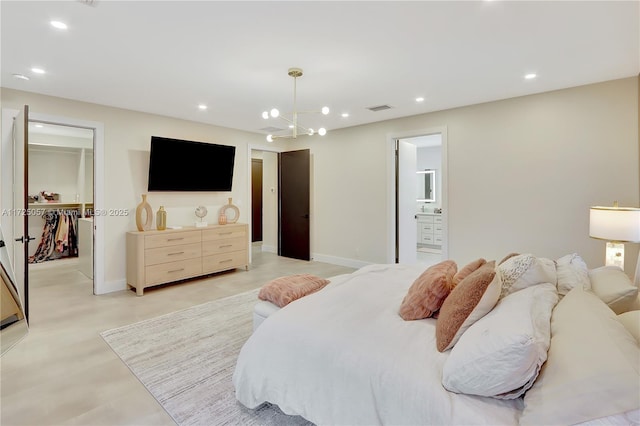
<point>501,354</point>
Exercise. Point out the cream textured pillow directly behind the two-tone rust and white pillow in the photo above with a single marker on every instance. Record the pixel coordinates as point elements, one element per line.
<point>525,270</point>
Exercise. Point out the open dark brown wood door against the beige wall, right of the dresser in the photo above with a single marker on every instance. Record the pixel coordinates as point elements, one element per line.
<point>293,204</point>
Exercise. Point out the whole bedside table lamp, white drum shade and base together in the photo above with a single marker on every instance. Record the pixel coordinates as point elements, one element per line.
<point>617,225</point>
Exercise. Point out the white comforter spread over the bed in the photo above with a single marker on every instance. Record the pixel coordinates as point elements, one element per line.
<point>344,356</point>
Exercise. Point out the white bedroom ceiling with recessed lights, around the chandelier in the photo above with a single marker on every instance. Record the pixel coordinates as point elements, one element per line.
<point>167,57</point>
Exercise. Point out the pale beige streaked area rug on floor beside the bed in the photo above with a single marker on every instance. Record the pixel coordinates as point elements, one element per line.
<point>186,360</point>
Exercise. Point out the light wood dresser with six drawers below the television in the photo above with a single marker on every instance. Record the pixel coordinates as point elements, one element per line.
<point>159,257</point>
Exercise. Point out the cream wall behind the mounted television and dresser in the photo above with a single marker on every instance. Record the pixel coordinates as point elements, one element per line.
<point>127,136</point>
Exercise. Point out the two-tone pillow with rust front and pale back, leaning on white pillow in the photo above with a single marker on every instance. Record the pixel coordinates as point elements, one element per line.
<point>469,301</point>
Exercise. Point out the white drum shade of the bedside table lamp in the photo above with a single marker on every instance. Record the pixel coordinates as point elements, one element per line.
<point>620,224</point>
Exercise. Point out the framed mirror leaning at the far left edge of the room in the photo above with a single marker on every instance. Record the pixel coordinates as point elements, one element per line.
<point>13,325</point>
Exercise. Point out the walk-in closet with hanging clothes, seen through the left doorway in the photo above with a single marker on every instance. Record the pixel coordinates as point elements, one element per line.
<point>60,189</point>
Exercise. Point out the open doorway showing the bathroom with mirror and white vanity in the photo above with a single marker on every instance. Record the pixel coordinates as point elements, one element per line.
<point>418,224</point>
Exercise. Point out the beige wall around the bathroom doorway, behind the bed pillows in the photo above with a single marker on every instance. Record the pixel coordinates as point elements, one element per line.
<point>522,174</point>
